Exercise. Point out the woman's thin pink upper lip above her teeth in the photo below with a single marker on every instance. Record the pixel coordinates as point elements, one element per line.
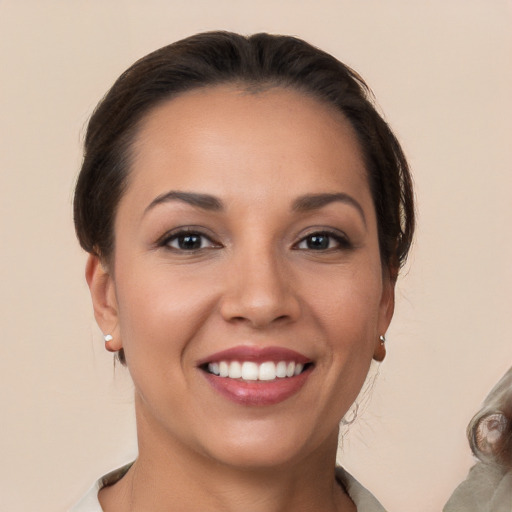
<point>255,354</point>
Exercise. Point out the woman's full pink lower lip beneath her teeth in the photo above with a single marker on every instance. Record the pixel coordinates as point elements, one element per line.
<point>258,392</point>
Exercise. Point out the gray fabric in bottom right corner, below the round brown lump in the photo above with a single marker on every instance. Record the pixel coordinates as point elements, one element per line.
<point>488,488</point>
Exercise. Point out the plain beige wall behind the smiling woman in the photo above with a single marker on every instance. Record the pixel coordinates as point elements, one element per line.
<point>442,71</point>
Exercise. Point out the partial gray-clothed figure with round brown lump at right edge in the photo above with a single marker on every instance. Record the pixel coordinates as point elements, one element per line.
<point>488,487</point>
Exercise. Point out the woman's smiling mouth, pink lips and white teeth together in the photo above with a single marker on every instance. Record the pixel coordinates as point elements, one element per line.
<point>257,376</point>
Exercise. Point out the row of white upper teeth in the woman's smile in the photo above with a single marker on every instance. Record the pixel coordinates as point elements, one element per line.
<point>249,370</point>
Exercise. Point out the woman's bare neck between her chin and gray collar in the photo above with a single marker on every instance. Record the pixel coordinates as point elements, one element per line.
<point>170,476</point>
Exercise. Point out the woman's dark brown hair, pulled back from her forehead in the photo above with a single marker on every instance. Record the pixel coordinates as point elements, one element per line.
<point>255,62</point>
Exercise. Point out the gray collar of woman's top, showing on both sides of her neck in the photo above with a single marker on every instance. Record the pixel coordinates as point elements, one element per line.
<point>364,500</point>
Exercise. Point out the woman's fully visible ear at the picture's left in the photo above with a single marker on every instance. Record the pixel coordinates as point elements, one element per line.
<point>104,301</point>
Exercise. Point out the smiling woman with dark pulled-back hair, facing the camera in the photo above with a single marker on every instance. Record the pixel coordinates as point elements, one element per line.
<point>246,212</point>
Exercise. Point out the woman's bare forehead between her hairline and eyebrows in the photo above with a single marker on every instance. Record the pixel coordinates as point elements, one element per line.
<point>224,140</point>
